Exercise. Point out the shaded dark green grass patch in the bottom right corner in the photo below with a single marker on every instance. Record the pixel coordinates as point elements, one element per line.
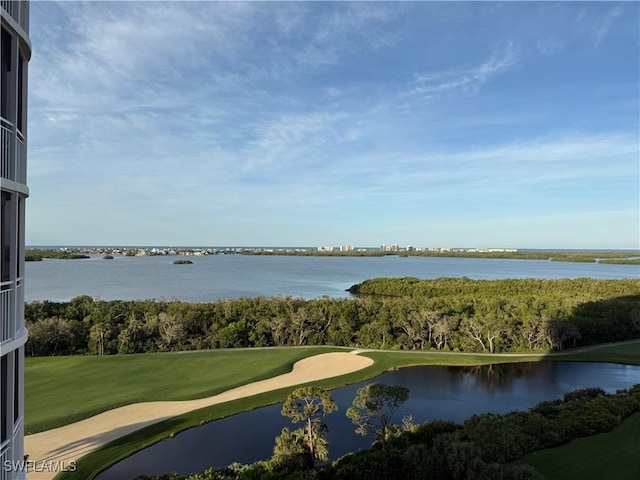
<point>614,455</point>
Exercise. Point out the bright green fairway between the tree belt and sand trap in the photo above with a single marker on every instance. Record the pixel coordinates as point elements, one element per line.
<point>62,390</point>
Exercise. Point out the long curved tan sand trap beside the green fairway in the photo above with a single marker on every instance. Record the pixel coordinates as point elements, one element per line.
<point>69,443</point>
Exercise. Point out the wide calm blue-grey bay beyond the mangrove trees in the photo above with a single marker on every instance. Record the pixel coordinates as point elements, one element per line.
<point>217,277</point>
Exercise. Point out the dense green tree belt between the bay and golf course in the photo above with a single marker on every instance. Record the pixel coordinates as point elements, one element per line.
<point>446,314</point>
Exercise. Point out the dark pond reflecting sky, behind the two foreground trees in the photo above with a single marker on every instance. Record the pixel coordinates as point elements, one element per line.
<point>449,393</point>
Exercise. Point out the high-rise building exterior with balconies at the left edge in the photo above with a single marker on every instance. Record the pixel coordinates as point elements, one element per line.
<point>14,57</point>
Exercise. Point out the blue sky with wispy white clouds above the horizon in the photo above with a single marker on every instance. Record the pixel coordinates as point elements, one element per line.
<point>509,124</point>
